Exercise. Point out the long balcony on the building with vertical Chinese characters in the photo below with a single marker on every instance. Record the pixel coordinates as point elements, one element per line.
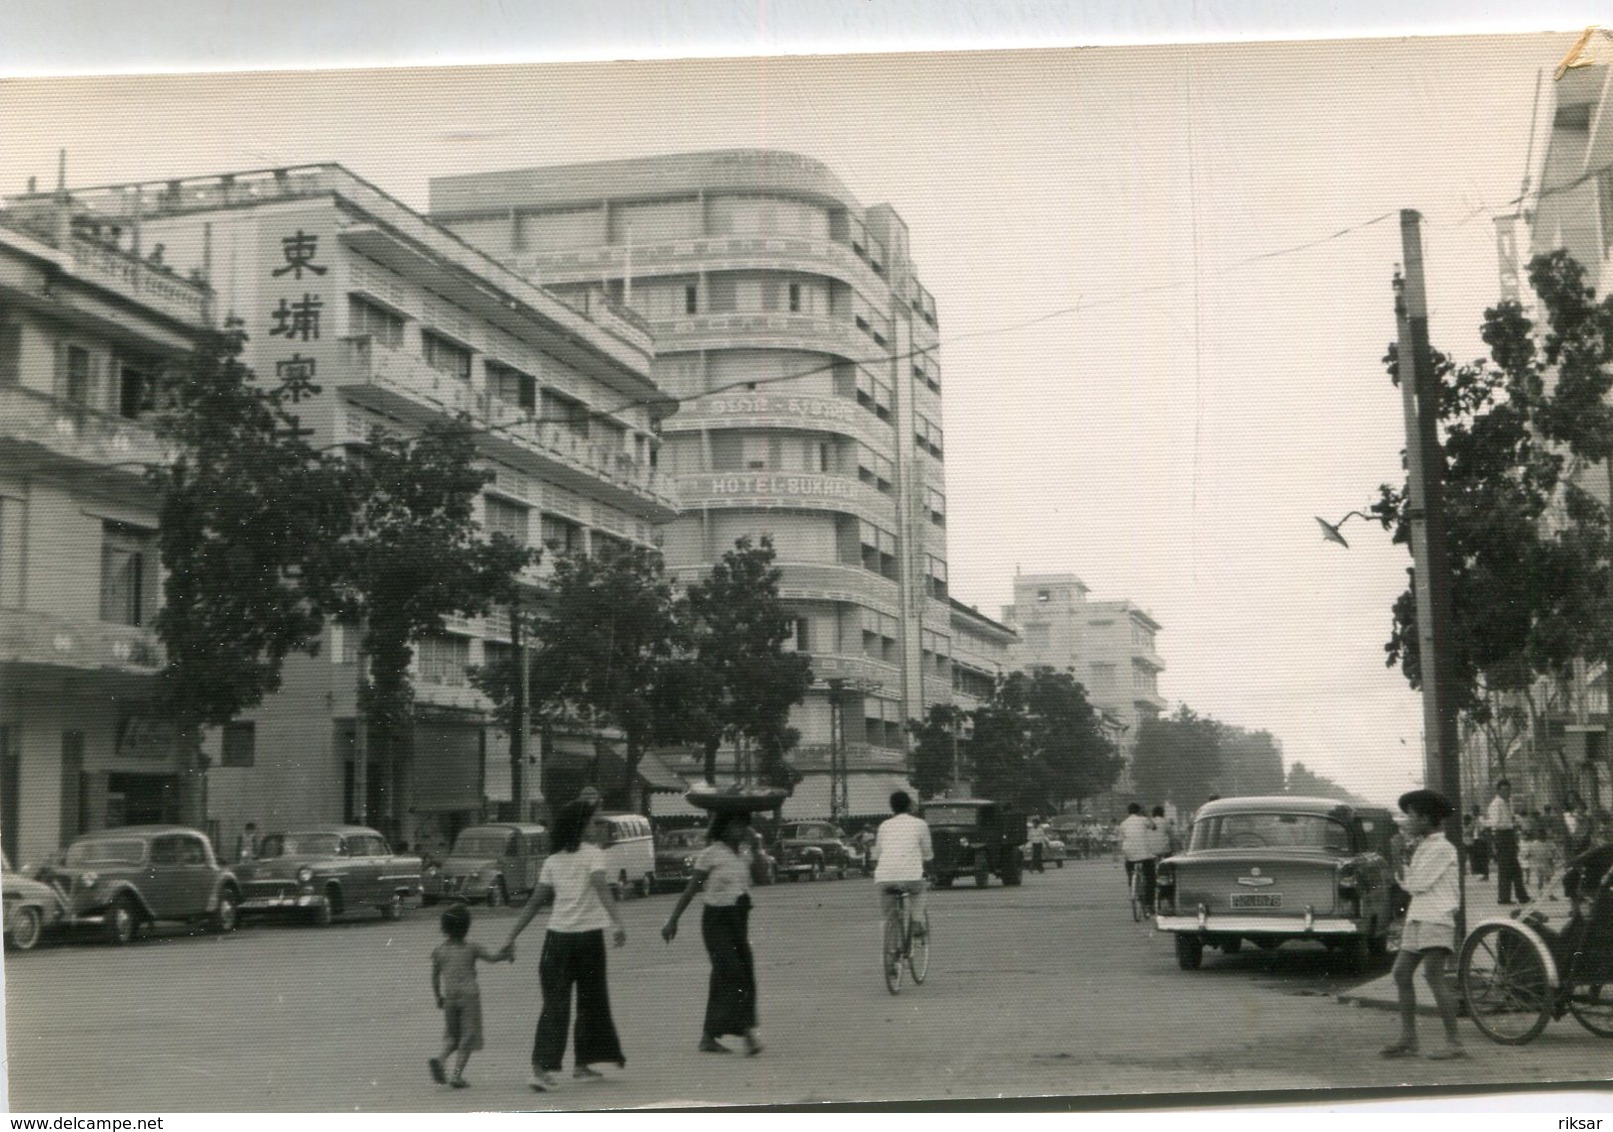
<point>402,385</point>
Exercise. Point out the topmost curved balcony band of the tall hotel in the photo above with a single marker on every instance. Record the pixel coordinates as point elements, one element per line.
<point>712,254</point>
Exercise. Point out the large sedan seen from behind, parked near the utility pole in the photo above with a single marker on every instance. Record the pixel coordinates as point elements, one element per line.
<point>1275,870</point>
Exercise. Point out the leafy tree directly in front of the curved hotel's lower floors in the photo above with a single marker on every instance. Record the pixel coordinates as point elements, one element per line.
<point>744,683</point>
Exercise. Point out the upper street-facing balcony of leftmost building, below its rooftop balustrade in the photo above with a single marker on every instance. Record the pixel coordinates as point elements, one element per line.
<point>56,436</point>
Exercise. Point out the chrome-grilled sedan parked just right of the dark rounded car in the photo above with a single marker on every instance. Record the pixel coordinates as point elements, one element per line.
<point>323,872</point>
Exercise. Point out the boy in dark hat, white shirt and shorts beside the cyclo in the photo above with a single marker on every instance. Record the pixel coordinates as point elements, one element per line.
<point>1430,936</point>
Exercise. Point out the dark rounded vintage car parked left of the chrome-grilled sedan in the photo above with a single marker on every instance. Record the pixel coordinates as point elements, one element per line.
<point>123,880</point>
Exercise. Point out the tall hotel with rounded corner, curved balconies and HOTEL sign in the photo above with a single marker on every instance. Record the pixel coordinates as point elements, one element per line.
<point>793,327</point>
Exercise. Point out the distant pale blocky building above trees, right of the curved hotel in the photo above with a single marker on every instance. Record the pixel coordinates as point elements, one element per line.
<point>1109,646</point>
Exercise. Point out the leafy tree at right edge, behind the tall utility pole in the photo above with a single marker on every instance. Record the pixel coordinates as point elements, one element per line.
<point>1528,546</point>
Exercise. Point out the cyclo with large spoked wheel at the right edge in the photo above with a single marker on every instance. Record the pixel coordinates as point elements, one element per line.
<point>1520,973</point>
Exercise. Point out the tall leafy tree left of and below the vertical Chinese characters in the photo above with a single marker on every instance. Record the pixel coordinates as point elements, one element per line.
<point>248,518</point>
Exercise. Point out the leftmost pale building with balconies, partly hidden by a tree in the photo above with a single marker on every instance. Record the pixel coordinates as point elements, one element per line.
<point>86,322</point>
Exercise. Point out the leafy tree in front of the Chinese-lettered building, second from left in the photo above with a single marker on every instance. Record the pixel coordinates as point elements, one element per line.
<point>414,557</point>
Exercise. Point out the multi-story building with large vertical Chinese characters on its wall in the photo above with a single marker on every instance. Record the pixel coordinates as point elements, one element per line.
<point>401,323</point>
